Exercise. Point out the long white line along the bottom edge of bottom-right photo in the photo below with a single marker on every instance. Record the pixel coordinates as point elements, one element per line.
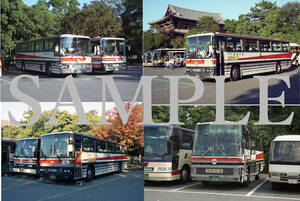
<point>225,194</point>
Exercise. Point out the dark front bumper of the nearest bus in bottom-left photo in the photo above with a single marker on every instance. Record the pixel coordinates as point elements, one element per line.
<point>57,173</point>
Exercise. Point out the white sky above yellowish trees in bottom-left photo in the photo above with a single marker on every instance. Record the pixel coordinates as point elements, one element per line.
<point>17,108</point>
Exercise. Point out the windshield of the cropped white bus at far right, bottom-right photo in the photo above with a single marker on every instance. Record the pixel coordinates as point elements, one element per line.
<point>285,151</point>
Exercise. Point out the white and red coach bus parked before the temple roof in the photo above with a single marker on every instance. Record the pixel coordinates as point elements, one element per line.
<point>235,56</point>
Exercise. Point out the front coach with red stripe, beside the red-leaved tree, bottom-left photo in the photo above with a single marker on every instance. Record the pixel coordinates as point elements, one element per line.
<point>73,156</point>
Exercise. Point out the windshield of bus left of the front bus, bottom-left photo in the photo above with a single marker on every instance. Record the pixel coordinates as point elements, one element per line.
<point>26,148</point>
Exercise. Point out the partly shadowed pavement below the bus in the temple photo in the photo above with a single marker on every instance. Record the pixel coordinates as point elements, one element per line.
<point>244,91</point>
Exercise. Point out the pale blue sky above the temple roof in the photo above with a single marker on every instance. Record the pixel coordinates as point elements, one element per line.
<point>229,9</point>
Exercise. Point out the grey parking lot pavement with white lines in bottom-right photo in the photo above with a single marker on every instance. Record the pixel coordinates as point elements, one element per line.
<point>195,191</point>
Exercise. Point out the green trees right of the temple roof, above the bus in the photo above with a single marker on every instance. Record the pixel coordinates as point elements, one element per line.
<point>266,19</point>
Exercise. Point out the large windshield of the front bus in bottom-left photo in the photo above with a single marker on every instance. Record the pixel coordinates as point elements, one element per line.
<point>55,145</point>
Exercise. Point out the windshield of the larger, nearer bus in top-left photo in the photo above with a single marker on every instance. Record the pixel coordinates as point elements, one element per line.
<point>74,46</point>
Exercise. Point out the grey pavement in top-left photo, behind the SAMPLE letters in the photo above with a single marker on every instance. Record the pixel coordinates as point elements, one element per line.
<point>88,86</point>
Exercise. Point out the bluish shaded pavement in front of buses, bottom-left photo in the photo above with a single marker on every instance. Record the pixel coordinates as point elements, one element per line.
<point>126,186</point>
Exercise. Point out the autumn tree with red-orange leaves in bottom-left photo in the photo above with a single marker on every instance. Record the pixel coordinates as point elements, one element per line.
<point>131,134</point>
